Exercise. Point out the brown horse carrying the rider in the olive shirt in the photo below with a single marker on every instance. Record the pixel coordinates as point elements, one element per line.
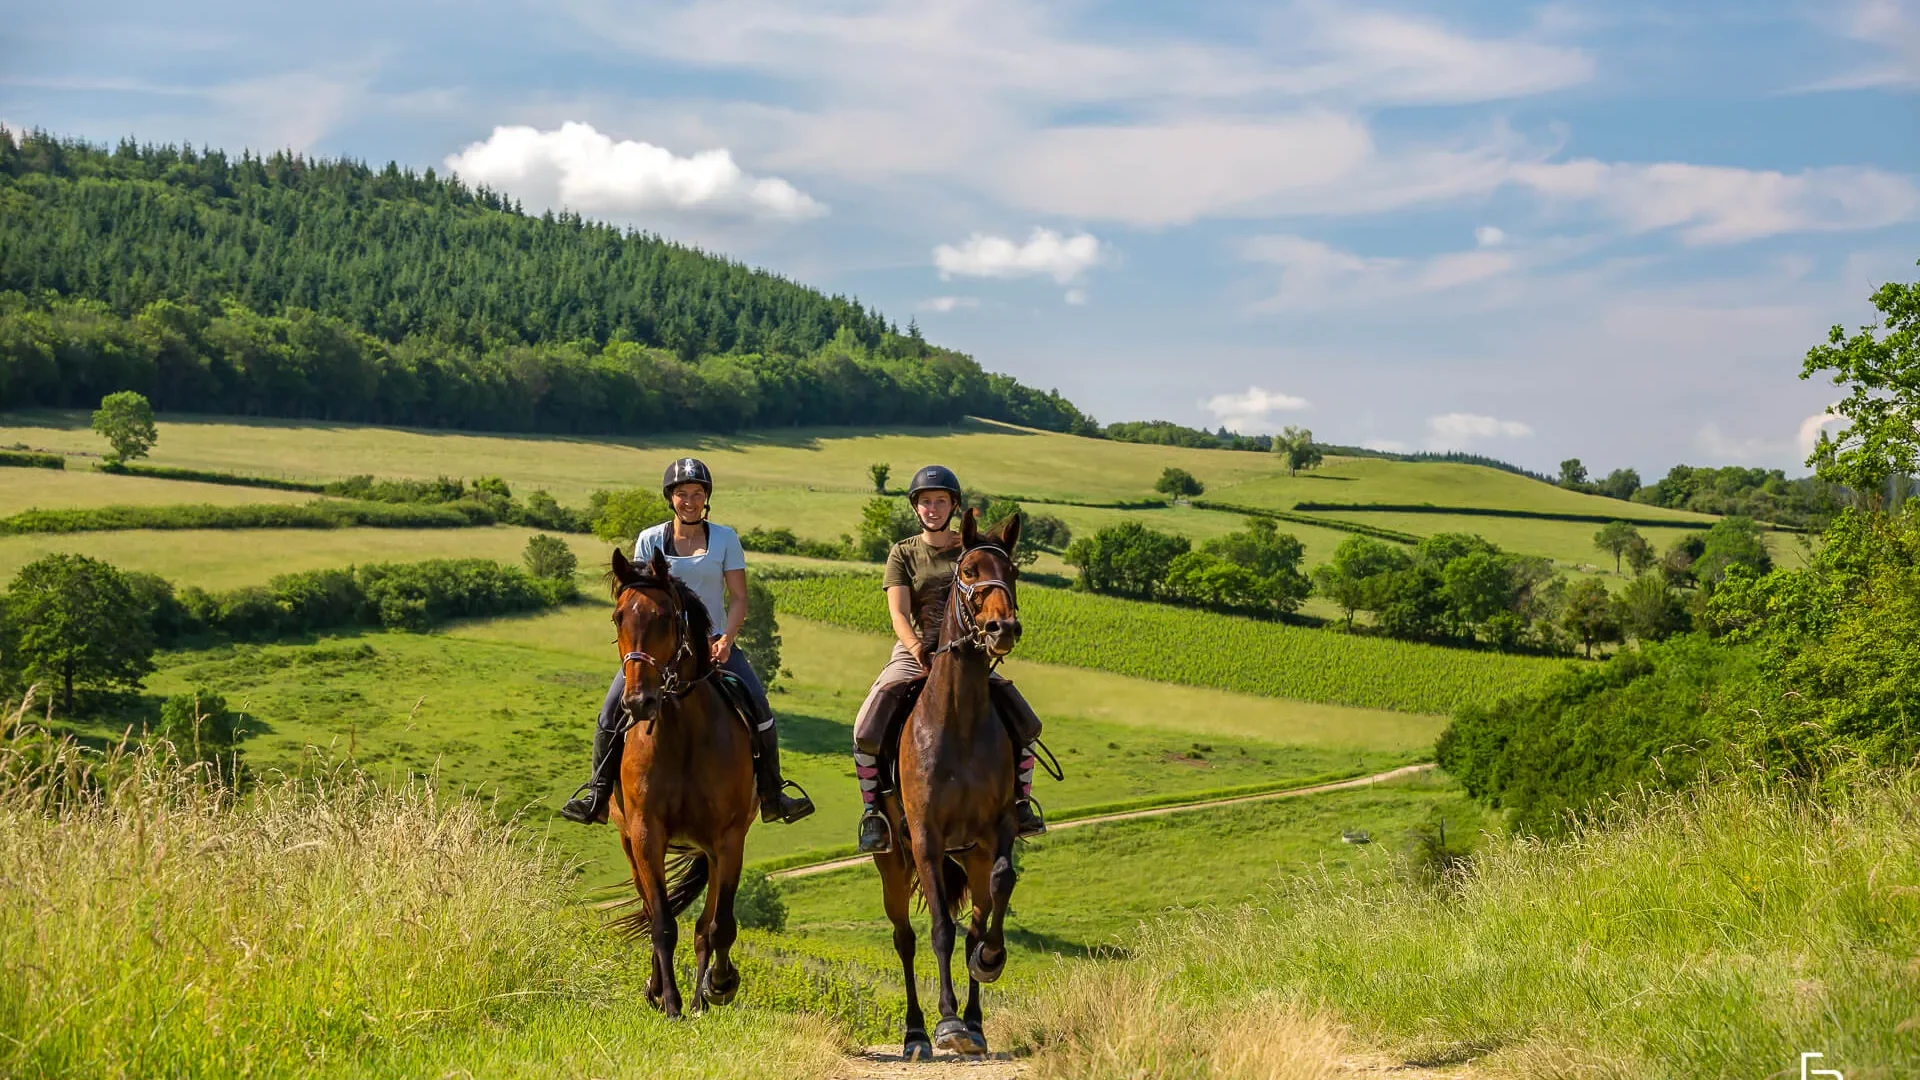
<point>955,808</point>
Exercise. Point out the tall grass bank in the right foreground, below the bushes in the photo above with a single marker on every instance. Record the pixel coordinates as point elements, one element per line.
<point>1710,935</point>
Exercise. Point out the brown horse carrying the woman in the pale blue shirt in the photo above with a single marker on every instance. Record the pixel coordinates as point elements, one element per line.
<point>686,781</point>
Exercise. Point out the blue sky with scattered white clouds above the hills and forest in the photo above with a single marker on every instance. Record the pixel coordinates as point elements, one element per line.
<point>1533,232</point>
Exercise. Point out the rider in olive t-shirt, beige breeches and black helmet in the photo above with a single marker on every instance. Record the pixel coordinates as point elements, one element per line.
<point>921,574</point>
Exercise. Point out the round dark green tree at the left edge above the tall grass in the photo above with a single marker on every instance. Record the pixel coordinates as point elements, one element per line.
<point>74,622</point>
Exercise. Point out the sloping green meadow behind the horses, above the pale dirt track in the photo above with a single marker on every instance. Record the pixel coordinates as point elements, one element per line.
<point>506,708</point>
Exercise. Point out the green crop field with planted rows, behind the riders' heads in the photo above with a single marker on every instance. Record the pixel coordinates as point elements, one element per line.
<point>1201,649</point>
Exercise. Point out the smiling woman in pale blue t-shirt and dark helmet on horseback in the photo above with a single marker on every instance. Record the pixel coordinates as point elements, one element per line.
<point>706,558</point>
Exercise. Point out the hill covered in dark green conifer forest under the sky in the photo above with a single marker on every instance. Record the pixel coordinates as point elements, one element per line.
<point>327,289</point>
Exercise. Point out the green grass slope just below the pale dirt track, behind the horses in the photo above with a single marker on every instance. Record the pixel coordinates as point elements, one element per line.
<point>1093,887</point>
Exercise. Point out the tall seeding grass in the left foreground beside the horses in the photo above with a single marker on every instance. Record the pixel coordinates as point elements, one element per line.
<point>155,923</point>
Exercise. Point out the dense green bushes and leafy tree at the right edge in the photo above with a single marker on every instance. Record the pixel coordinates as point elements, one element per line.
<point>1798,675</point>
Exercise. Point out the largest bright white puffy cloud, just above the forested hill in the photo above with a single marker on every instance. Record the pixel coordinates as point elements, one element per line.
<point>583,170</point>
